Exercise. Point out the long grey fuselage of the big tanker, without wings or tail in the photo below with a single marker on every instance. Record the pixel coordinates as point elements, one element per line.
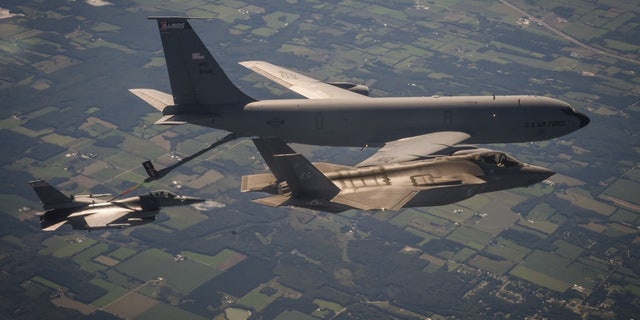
<point>376,121</point>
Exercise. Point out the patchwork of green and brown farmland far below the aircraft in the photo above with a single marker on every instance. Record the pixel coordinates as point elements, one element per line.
<point>568,248</point>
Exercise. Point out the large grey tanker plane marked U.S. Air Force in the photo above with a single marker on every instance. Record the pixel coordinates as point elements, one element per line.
<point>342,114</point>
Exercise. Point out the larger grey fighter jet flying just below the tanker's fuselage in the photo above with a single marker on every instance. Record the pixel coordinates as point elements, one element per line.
<point>435,181</point>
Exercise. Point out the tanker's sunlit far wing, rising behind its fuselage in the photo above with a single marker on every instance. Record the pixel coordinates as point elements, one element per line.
<point>300,84</point>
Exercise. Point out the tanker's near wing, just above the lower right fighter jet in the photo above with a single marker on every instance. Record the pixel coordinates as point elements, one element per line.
<point>414,148</point>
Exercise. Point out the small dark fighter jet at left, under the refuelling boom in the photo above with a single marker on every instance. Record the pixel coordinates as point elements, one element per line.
<point>89,212</point>
